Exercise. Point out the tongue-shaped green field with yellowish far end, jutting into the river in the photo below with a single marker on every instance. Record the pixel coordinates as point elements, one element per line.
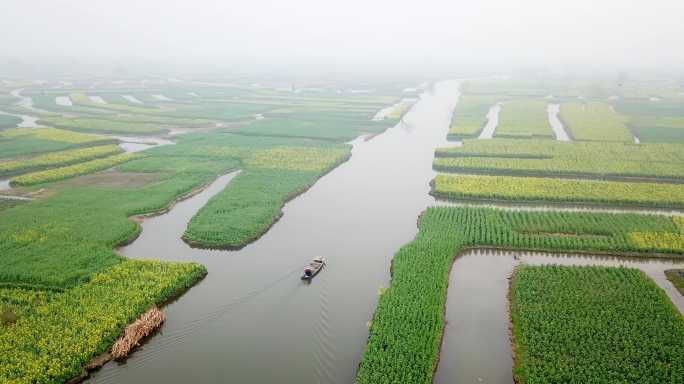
<point>253,200</point>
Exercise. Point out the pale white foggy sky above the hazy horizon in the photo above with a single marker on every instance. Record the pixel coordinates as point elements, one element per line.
<point>68,37</point>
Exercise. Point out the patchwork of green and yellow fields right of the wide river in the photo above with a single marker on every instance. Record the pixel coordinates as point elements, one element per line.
<point>601,336</point>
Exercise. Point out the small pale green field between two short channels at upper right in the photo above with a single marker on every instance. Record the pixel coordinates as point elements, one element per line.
<point>523,119</point>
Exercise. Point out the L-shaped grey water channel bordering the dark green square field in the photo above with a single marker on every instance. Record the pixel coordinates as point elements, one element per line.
<point>476,346</point>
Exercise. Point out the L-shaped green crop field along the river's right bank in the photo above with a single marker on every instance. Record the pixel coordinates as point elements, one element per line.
<point>408,324</point>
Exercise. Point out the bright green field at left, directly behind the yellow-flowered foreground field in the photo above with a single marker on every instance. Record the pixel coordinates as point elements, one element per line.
<point>58,242</point>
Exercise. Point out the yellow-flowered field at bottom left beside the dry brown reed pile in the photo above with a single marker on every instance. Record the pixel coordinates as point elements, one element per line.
<point>54,335</point>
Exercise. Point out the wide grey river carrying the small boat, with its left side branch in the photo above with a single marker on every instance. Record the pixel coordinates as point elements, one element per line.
<point>252,320</point>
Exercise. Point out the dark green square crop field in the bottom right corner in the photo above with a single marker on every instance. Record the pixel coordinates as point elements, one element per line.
<point>592,325</point>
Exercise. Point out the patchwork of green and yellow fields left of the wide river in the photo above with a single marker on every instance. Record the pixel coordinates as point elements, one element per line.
<point>66,294</point>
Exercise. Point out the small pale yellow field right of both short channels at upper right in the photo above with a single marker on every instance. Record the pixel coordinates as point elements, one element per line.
<point>594,122</point>
